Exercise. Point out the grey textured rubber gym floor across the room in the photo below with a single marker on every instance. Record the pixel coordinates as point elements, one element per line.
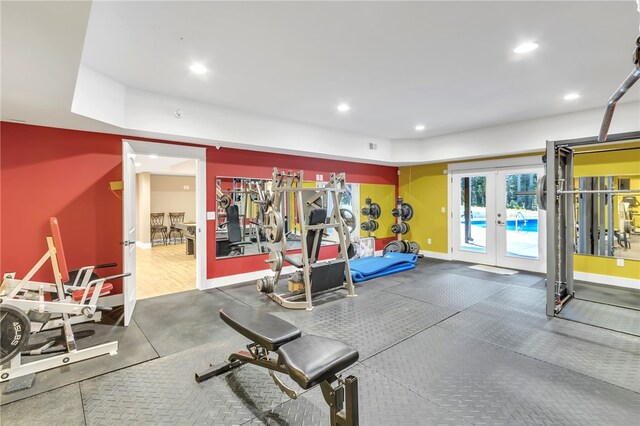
<point>440,344</point>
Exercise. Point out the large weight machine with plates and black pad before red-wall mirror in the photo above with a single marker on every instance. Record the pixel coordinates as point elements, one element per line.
<point>313,219</point>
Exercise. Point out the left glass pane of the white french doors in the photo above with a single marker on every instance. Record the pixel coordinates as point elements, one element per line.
<point>473,213</point>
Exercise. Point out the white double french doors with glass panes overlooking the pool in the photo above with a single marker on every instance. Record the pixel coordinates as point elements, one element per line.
<point>495,218</point>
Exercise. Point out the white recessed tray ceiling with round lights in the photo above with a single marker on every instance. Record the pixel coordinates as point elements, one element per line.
<point>448,65</point>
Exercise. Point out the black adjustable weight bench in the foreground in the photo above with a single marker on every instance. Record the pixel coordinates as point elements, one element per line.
<point>309,360</point>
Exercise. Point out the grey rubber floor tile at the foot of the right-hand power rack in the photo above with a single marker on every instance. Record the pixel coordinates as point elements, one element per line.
<point>597,314</point>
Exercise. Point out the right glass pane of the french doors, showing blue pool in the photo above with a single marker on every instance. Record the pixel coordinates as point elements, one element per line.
<point>521,236</point>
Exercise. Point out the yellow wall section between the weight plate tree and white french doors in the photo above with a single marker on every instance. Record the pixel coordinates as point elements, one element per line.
<point>425,188</point>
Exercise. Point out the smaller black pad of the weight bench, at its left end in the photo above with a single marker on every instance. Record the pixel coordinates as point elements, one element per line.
<point>265,329</point>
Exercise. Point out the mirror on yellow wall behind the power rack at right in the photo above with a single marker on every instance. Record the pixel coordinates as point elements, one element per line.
<point>607,216</point>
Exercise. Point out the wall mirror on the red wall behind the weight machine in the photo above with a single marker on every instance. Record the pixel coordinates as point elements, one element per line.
<point>240,213</point>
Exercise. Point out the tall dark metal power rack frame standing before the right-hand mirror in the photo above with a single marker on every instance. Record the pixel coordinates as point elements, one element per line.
<point>558,193</point>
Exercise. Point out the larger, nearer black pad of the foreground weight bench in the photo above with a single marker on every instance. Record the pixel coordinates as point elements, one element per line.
<point>312,359</point>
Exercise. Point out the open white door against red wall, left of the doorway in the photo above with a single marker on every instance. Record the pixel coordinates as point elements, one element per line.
<point>129,230</point>
